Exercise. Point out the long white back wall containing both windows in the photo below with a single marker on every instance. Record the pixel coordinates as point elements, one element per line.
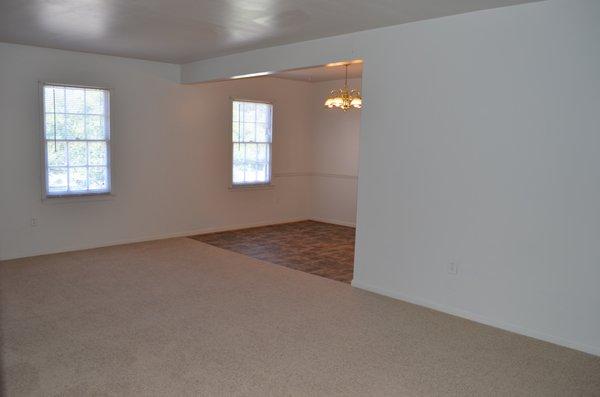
<point>170,154</point>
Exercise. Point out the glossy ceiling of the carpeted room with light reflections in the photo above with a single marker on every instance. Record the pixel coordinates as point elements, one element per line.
<point>181,31</point>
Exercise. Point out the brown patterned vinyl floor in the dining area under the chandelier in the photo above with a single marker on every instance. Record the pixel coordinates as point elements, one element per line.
<point>314,247</point>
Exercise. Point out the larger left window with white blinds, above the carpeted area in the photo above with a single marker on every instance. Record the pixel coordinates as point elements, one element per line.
<point>76,140</point>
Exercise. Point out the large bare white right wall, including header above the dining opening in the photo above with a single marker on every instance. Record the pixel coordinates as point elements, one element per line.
<point>479,144</point>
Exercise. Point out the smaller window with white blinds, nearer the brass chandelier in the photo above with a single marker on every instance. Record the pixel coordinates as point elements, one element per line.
<point>252,136</point>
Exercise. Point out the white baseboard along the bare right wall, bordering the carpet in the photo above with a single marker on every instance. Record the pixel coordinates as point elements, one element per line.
<point>478,318</point>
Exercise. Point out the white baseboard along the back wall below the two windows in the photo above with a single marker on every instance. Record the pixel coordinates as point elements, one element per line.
<point>79,247</point>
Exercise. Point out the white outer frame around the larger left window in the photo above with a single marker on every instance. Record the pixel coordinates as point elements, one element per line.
<point>44,142</point>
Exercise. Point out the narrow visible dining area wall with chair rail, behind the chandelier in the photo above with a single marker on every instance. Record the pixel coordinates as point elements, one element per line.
<point>335,137</point>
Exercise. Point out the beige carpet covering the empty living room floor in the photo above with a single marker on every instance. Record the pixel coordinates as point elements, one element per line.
<point>179,317</point>
